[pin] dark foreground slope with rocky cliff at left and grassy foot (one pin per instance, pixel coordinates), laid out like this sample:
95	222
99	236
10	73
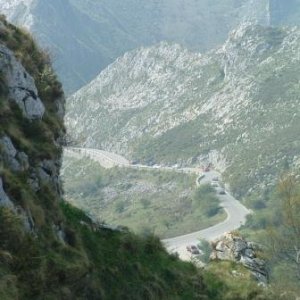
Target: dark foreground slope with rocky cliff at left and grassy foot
49	250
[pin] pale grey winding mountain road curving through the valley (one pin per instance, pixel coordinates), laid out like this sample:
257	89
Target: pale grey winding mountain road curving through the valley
236	212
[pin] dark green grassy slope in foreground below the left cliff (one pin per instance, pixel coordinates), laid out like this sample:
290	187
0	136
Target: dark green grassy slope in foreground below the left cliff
93	265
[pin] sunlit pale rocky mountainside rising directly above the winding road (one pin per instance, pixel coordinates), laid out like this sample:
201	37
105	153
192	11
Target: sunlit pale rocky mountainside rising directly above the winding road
237	106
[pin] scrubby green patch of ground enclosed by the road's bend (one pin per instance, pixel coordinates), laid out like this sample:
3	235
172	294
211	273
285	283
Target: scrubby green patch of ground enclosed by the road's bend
162	202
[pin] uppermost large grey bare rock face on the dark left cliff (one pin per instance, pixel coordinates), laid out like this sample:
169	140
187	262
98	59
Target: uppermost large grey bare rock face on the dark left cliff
21	85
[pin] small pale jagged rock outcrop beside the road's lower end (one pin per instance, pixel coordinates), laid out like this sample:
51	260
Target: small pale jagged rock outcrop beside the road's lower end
235	248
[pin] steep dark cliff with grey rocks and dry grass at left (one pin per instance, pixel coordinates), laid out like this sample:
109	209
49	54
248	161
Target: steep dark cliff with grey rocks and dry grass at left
30	146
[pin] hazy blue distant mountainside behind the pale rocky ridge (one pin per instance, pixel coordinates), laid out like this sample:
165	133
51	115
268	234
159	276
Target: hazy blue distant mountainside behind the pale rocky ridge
86	36
